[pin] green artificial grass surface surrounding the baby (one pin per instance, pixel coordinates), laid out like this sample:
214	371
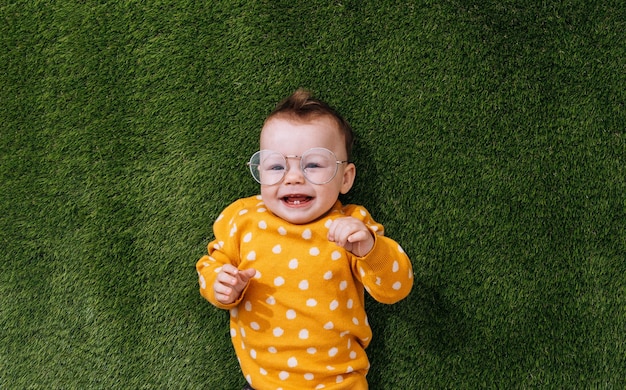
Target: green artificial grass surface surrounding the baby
490	143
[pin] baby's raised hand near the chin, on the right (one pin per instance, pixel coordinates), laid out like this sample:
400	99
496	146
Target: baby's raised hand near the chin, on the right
351	234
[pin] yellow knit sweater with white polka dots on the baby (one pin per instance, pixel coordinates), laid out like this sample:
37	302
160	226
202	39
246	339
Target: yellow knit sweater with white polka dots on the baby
301	322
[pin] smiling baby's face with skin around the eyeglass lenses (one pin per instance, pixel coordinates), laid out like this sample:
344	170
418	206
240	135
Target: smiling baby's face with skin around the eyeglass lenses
295	199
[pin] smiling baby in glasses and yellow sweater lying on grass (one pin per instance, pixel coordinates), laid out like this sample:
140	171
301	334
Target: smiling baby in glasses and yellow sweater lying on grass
292	264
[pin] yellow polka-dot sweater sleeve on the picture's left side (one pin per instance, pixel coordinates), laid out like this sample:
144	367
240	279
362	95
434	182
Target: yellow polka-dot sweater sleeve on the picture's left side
222	250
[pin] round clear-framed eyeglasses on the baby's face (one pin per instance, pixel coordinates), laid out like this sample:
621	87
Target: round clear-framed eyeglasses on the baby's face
319	166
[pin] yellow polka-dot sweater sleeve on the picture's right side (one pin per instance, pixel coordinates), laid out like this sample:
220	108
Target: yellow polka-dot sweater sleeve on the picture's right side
386	271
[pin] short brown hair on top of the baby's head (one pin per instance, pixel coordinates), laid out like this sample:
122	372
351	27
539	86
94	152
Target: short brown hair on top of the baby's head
303	106
